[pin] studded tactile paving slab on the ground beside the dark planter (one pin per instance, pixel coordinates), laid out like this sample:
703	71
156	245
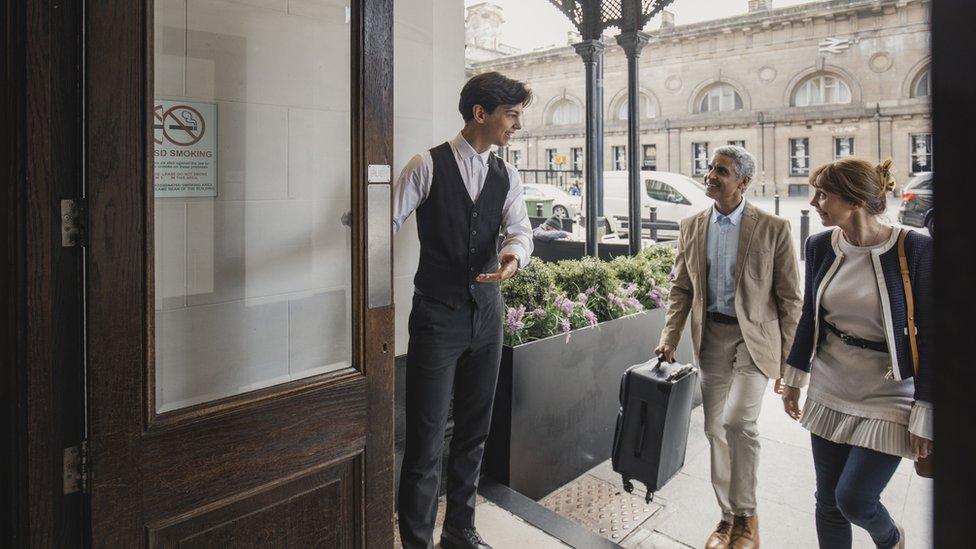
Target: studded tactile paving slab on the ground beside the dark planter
600	506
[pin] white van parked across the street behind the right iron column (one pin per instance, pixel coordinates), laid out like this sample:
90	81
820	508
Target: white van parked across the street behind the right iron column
674	195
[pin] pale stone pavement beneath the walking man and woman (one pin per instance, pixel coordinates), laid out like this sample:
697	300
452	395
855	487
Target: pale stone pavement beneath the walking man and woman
684	513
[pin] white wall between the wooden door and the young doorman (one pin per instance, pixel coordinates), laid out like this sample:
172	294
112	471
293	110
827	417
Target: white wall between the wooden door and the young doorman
428	72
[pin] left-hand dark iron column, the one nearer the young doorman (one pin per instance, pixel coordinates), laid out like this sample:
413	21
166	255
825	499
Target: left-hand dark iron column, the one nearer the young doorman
592	52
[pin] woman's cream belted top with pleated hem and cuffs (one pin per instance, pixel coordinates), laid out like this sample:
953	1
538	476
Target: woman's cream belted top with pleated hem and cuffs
851	400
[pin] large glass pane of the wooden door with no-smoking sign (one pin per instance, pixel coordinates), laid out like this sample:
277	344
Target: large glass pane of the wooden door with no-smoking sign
252	177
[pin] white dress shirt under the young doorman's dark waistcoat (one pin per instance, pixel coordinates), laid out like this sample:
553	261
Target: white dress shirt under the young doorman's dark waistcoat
413	187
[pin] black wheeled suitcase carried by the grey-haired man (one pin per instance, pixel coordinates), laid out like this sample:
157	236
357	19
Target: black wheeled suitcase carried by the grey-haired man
652	424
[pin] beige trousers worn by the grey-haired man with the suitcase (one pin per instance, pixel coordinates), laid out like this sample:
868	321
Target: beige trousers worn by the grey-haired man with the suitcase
732	394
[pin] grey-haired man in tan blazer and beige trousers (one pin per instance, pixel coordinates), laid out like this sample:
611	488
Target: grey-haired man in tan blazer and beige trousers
737	275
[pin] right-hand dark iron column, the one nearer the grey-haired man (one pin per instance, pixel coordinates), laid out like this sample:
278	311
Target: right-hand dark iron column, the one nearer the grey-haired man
633	42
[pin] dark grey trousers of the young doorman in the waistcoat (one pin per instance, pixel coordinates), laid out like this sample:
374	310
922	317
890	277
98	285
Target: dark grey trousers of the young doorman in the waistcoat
452	353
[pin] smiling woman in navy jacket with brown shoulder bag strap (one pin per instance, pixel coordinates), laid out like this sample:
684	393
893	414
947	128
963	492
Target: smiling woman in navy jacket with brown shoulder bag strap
864	345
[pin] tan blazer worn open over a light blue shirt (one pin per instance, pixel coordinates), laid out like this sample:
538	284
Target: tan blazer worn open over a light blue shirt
767	286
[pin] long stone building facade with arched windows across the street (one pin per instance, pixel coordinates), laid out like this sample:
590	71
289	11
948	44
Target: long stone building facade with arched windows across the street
798	86
